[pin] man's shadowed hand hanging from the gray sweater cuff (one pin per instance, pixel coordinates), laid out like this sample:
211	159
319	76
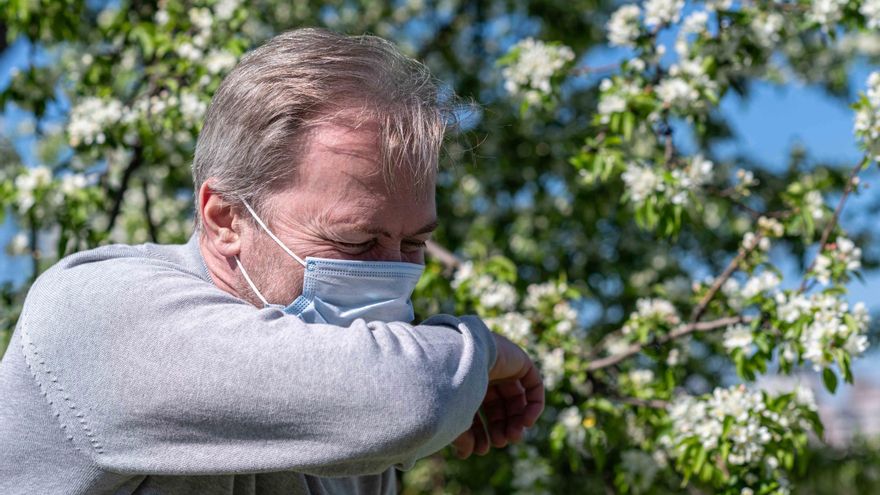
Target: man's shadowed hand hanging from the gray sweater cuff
513	402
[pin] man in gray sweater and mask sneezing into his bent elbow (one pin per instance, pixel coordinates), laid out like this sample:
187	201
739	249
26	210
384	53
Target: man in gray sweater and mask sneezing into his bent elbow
273	352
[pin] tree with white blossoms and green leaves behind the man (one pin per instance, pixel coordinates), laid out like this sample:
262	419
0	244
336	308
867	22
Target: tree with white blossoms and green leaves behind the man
587	237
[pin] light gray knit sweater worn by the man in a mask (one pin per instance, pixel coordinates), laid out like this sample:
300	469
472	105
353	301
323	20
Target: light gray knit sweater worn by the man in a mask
129	371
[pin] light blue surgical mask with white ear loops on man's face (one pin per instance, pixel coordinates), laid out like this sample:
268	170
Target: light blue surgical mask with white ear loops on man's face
340	291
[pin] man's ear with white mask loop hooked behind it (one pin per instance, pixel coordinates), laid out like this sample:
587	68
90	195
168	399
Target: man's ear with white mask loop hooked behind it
220	221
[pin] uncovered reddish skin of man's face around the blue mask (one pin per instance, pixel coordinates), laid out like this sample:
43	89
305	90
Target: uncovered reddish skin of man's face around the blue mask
339	206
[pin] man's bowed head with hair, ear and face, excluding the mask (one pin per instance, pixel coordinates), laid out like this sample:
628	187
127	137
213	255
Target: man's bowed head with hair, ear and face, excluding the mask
334	141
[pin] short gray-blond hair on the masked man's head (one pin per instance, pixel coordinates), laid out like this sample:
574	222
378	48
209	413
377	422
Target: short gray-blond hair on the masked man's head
264	109
